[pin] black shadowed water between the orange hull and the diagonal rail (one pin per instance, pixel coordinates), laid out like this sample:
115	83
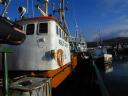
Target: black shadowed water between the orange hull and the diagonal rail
80	83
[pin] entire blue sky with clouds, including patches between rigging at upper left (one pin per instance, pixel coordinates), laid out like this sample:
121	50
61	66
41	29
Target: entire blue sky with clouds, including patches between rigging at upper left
109	17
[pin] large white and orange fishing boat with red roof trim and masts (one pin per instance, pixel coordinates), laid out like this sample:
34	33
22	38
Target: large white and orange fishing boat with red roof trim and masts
46	50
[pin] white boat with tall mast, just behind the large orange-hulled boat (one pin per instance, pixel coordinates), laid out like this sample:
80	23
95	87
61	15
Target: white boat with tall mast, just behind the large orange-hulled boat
78	43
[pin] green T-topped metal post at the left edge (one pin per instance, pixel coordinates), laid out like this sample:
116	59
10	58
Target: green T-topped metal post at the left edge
4	51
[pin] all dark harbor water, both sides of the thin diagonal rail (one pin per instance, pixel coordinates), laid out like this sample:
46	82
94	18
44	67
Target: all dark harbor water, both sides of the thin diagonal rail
83	82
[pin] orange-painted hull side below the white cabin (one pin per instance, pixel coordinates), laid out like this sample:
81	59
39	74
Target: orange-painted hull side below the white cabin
60	74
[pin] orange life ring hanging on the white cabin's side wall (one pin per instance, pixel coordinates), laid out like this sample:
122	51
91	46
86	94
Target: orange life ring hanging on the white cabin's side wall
60	59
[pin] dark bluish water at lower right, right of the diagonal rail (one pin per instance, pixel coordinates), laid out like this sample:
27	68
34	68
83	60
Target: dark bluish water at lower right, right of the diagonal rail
117	81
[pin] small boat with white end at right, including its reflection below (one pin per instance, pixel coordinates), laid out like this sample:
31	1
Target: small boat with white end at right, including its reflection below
103	60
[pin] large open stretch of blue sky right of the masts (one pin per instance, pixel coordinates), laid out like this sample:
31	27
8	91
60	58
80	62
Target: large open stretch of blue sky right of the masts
110	17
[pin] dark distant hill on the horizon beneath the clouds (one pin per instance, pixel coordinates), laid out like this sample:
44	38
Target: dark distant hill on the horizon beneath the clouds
112	41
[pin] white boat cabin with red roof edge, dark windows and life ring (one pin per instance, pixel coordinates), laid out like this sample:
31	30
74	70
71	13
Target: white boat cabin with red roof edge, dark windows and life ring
46	46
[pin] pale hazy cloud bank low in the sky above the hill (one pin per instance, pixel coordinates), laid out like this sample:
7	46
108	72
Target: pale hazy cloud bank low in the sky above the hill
119	28
